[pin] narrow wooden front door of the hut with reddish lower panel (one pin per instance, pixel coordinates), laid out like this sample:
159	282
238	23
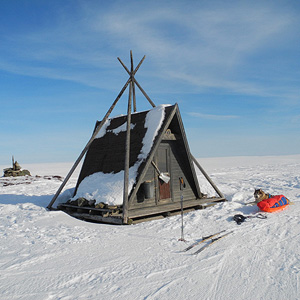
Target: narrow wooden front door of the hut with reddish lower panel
163	163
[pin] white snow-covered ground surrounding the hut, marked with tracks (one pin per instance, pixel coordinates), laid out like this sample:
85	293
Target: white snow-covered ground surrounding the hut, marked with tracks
50	255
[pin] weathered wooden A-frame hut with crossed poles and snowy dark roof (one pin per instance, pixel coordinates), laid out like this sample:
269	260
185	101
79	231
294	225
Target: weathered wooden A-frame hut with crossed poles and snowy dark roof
133	164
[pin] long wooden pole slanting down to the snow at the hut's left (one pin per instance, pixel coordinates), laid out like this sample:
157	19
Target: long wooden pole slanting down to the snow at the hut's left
87	146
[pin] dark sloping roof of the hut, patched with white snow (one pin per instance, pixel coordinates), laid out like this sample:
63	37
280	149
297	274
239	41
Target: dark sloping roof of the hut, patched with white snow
102	175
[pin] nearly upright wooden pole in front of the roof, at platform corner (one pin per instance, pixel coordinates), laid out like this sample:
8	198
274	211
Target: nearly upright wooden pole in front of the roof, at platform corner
127	159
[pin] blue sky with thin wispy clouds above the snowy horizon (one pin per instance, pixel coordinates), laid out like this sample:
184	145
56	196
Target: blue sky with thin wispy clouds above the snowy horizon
233	67
